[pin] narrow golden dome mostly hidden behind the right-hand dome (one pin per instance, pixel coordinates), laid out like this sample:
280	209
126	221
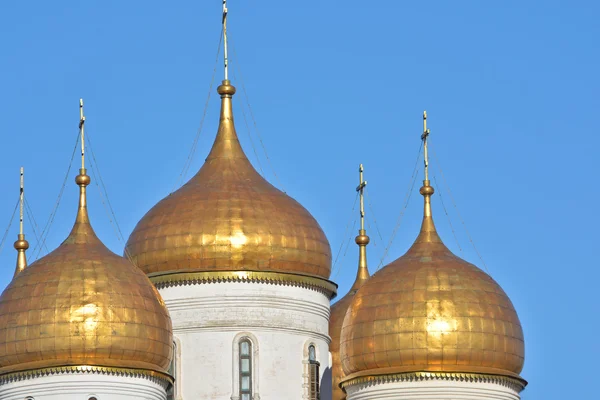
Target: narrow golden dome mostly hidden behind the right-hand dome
338	311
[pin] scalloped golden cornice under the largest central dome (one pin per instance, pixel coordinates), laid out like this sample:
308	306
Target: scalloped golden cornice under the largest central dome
169	279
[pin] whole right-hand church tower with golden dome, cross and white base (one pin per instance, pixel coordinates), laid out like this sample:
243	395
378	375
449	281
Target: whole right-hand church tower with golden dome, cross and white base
430	325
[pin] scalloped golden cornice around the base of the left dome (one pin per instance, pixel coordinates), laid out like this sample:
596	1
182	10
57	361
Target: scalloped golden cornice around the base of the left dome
157	377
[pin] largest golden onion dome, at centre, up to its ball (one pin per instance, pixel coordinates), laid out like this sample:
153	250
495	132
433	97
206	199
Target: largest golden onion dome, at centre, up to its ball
229	218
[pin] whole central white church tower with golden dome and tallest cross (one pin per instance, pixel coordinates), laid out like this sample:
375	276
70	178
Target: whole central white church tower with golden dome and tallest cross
244	271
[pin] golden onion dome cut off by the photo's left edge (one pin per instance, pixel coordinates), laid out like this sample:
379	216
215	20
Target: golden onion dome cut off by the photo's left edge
83	305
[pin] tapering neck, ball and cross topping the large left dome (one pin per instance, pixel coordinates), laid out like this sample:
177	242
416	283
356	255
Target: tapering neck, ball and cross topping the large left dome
82	230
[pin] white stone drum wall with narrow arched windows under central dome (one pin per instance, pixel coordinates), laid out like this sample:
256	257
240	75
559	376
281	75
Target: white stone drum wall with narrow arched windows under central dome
281	321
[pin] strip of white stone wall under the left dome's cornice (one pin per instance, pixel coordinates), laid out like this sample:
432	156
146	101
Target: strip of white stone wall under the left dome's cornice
84	386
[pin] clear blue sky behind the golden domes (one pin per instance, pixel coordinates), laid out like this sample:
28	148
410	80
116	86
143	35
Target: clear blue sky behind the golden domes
511	89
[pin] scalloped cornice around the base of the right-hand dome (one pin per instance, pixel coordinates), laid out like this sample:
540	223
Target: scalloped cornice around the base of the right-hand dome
515	384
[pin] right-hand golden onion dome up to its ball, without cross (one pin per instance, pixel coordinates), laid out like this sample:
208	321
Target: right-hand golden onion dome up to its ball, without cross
431	311
